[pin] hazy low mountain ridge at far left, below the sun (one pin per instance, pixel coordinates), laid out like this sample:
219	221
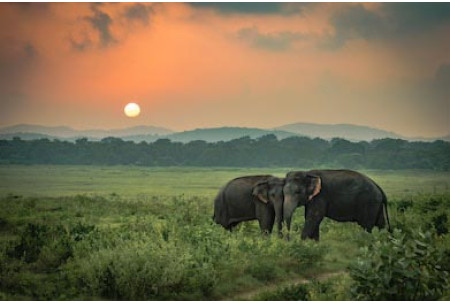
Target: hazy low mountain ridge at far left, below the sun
67	132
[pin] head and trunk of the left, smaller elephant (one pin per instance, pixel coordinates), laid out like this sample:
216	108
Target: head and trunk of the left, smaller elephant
270	191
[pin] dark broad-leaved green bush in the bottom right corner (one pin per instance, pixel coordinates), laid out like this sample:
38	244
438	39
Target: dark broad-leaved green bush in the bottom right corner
404	265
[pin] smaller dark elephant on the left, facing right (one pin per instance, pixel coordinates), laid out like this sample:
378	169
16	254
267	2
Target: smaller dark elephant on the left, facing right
248	198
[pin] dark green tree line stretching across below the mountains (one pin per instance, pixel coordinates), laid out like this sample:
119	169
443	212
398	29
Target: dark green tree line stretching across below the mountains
265	151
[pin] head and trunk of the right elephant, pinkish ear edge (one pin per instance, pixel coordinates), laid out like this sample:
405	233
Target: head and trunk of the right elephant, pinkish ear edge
300	188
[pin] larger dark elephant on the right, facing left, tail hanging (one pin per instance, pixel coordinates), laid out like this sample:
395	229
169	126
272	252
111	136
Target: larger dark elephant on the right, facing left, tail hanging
341	195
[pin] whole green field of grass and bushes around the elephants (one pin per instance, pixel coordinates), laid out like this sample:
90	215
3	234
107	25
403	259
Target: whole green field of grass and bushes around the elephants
137	233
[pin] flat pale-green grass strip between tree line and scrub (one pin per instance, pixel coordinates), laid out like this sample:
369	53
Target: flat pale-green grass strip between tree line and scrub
131	181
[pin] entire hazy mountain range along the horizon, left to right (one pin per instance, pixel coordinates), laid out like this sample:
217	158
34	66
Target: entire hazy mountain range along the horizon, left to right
153	133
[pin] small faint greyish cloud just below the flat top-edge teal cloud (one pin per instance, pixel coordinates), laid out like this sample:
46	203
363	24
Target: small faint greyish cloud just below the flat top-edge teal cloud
273	42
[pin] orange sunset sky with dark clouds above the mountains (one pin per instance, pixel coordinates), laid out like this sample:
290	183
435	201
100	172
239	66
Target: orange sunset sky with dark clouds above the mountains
196	65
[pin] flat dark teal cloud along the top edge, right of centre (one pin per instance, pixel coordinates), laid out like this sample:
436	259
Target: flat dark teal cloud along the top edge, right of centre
257	8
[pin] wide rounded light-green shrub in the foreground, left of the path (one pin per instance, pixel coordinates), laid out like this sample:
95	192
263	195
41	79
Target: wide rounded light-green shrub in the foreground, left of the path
148	270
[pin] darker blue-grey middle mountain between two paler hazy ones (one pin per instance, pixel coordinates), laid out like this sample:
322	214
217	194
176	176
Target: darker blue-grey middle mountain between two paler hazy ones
225	134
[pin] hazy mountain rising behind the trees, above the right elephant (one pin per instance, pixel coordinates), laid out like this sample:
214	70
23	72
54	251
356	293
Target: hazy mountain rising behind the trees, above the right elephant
346	131
